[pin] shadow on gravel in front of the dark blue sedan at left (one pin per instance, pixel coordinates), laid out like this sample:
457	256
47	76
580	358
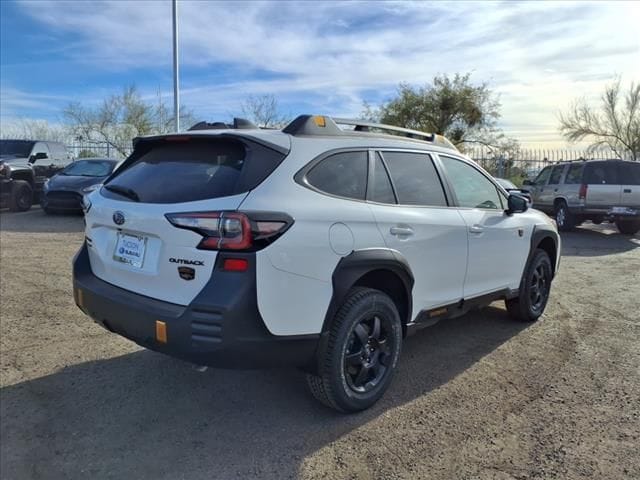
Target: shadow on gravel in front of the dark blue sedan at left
35	220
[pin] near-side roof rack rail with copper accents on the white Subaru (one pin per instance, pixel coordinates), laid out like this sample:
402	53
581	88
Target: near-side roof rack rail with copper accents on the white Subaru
323	125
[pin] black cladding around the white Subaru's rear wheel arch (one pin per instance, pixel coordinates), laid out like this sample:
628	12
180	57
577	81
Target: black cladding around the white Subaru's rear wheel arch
381	269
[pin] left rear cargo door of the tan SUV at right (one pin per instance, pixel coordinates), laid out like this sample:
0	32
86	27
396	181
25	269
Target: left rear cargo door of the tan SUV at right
603	186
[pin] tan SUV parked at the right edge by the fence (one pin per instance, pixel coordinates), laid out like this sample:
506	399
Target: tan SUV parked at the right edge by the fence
596	190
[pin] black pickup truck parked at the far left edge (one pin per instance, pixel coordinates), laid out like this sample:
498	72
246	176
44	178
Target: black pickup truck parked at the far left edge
25	165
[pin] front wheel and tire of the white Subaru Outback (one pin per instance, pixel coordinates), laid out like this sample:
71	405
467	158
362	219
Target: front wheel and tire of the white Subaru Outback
534	289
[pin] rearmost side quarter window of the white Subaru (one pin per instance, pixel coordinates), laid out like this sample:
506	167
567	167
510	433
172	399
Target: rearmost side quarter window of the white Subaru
343	174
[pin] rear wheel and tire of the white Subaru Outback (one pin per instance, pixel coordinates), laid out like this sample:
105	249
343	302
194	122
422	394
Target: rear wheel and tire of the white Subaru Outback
355	364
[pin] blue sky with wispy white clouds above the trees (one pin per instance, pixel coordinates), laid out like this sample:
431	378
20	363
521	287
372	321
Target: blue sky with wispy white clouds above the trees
315	57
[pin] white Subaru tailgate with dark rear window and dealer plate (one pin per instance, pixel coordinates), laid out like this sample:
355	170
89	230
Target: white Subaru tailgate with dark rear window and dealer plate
131	242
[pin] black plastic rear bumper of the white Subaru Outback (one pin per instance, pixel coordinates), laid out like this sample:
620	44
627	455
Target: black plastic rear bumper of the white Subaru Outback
222	327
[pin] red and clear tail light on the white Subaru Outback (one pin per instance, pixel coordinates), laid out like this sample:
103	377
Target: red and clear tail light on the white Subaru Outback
223	230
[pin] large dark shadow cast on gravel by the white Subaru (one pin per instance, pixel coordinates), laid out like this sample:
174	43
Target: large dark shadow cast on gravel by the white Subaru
145	415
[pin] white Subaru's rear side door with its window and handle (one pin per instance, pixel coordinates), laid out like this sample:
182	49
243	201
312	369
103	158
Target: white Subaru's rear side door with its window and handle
409	203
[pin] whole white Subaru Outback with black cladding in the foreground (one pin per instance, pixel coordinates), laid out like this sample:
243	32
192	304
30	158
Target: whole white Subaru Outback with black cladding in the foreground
314	246
